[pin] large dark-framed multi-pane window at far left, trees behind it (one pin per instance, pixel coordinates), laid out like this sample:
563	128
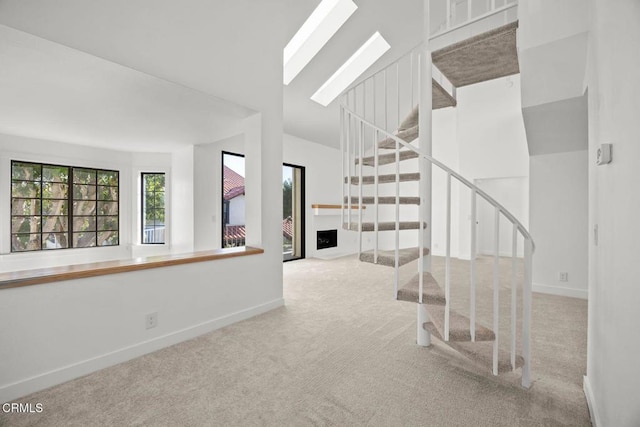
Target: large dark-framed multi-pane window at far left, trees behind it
57	207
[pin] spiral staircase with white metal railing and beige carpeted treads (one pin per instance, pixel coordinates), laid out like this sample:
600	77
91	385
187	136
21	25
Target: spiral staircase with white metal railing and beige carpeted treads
387	166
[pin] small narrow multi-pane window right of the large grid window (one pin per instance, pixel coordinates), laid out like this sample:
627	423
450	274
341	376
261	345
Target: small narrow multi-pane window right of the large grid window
153	208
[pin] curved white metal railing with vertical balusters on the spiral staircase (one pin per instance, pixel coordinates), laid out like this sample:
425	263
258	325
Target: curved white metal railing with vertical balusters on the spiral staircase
363	126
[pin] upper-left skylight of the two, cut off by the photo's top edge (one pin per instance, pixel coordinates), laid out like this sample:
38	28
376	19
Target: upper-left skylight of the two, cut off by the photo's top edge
316	31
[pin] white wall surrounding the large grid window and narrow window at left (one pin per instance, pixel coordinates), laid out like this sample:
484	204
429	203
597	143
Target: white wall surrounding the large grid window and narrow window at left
130	165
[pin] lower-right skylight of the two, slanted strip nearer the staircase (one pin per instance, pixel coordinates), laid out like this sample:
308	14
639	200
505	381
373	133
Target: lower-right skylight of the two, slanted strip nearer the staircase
359	62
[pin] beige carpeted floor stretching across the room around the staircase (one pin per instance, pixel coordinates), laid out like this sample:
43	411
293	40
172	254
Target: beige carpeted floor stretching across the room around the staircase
341	352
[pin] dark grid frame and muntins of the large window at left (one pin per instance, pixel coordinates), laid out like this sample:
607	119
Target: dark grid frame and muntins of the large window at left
70	206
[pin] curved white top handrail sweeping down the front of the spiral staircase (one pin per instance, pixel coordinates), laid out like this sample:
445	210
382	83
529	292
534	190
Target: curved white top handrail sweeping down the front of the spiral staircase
463	180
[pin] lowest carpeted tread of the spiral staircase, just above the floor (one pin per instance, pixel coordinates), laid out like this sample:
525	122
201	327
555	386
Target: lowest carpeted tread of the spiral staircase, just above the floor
481	353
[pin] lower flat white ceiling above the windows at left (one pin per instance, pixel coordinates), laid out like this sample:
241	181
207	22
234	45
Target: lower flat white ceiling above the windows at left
50	91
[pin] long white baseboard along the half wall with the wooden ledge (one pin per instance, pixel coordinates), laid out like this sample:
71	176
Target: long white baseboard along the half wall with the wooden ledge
66	373
